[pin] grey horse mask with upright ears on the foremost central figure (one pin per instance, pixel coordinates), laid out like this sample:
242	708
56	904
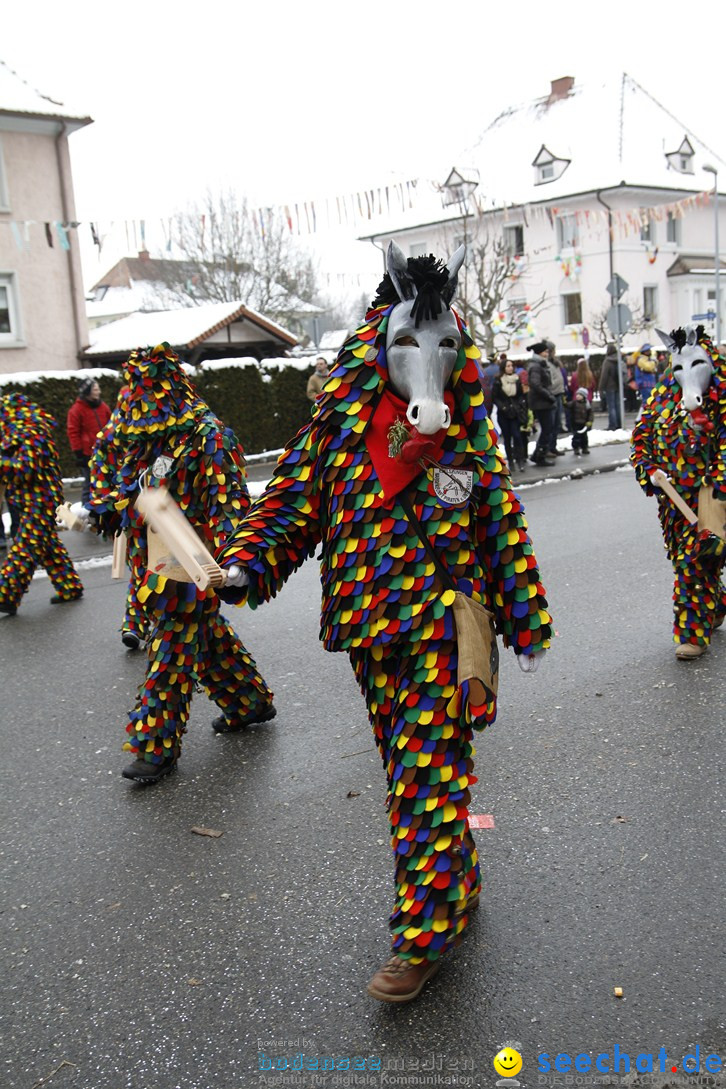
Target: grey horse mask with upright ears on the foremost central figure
422	348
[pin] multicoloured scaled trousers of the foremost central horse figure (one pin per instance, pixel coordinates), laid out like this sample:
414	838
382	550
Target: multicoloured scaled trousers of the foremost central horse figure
426	745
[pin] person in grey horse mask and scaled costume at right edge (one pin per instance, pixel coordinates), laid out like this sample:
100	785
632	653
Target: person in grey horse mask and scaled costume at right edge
682	432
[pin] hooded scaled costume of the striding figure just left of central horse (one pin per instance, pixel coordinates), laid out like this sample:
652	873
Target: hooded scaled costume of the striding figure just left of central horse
163	433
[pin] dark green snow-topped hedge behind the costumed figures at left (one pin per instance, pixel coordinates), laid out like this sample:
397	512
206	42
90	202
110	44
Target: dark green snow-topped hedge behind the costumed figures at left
264	403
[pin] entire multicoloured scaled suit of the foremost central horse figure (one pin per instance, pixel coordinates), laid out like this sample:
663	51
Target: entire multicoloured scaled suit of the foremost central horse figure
384	604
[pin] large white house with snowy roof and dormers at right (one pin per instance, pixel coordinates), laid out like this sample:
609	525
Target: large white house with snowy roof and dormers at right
585	182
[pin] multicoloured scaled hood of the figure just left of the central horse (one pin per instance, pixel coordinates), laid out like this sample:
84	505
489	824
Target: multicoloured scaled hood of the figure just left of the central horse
158	396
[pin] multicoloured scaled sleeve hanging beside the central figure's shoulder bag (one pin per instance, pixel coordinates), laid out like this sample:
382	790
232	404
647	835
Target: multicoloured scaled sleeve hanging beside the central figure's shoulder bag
516	594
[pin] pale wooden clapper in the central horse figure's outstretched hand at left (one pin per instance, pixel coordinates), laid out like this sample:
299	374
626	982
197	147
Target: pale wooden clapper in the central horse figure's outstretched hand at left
175	549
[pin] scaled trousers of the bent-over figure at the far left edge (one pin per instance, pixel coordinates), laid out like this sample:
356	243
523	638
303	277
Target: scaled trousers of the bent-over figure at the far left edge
38	544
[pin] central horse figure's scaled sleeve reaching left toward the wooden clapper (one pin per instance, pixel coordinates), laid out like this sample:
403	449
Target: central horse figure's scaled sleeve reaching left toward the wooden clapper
282	528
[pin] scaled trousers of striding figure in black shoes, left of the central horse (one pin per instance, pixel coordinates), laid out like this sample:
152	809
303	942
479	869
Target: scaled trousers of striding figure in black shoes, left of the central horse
190	643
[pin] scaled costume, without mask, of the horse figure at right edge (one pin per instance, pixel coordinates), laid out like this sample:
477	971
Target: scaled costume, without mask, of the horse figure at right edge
665	437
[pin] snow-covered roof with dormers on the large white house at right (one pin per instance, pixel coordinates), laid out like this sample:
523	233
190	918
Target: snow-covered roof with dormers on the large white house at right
576	140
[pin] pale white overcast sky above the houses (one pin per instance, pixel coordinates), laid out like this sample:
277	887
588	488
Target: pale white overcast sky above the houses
290	102
